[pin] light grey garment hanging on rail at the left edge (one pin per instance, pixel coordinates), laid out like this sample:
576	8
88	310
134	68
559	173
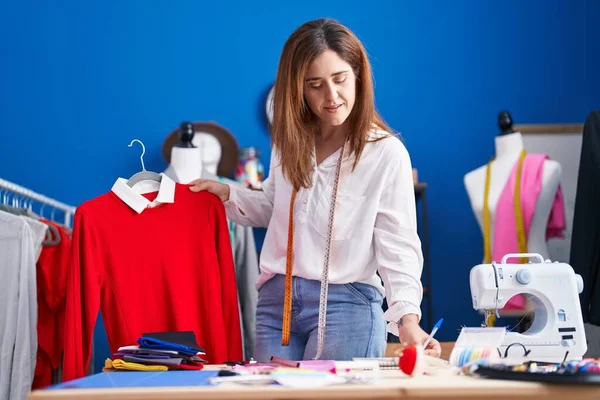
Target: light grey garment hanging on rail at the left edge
19	243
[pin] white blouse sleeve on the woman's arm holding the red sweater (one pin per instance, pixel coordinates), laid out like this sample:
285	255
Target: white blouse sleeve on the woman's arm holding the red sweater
249	207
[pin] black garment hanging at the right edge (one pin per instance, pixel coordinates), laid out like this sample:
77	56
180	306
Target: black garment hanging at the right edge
585	240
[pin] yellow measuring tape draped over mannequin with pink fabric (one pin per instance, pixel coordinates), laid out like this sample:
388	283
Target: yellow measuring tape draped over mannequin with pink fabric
521	237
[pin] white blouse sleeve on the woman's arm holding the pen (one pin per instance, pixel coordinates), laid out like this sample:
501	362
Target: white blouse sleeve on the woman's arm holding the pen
397	244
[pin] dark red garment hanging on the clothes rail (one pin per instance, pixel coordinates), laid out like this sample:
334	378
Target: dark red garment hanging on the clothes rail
51	291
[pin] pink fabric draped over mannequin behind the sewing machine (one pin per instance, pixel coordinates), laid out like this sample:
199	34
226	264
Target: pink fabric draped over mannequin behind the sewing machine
505	227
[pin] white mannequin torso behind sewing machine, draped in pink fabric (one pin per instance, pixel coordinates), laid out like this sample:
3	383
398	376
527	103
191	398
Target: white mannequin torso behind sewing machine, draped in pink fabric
508	150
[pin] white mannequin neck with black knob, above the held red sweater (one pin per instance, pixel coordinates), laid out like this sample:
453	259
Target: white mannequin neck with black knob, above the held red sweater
186	158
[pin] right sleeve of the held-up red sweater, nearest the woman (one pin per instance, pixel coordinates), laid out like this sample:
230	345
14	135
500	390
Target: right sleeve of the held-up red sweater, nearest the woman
231	316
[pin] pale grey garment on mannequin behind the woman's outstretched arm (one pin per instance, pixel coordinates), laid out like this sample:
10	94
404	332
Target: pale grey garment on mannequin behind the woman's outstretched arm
246	269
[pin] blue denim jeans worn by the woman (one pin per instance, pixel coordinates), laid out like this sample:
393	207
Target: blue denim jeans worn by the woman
355	326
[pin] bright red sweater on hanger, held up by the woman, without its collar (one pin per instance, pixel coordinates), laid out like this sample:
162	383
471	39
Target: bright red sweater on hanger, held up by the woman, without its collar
169	268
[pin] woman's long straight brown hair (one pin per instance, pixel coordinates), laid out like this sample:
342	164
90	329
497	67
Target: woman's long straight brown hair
294	125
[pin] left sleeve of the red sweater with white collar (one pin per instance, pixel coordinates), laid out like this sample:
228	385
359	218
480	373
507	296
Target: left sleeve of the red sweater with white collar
82	299
